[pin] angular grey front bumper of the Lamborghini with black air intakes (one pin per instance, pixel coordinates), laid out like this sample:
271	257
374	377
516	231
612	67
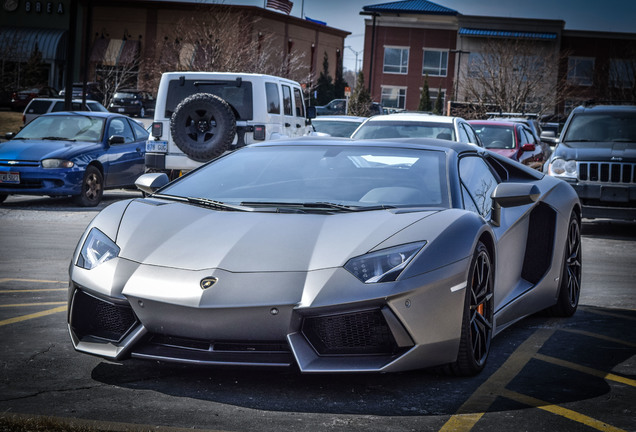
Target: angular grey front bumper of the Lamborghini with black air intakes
322	321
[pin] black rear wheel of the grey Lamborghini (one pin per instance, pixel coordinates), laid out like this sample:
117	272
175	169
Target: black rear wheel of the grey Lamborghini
570	284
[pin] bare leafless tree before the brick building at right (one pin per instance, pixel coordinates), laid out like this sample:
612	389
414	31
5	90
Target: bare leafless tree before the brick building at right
514	76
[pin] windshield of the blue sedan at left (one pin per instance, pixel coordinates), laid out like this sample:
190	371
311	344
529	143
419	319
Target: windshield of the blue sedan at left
70	127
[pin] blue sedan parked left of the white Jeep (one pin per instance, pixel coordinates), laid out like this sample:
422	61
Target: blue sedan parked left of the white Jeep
73	153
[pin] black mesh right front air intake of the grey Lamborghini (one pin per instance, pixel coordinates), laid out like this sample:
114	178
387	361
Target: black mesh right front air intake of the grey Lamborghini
364	332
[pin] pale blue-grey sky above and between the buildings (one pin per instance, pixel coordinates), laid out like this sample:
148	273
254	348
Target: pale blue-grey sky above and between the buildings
592	15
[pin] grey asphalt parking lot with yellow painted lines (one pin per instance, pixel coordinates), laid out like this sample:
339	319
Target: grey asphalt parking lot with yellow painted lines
544	374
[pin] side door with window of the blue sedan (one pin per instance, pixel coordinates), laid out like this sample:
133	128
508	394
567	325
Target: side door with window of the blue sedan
125	160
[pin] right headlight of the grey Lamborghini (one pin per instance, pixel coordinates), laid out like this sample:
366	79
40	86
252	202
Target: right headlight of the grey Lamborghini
385	265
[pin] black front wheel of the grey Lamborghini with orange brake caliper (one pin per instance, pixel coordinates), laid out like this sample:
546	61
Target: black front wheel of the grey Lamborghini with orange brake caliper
477	318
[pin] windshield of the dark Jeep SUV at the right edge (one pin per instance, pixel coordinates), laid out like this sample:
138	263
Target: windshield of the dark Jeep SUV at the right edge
602	127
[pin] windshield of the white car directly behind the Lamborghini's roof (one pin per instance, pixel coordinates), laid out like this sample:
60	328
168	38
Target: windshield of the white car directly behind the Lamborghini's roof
404	129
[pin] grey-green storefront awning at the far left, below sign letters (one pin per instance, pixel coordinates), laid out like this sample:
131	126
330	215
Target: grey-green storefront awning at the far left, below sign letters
18	44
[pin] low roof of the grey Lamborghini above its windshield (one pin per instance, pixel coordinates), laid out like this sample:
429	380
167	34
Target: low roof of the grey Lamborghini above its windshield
413	143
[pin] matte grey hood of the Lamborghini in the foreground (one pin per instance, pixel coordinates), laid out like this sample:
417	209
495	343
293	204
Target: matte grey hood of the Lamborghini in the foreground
190	237
